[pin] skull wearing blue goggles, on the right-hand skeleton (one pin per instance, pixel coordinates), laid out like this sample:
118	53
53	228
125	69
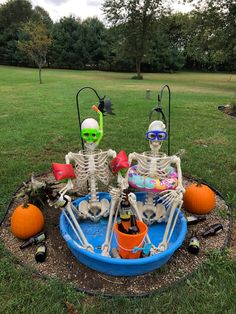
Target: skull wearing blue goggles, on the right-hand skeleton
156	134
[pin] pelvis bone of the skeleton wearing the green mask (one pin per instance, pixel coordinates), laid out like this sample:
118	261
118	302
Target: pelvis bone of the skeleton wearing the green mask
93	210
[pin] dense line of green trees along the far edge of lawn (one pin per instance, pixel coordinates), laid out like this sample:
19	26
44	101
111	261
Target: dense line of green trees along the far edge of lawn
139	33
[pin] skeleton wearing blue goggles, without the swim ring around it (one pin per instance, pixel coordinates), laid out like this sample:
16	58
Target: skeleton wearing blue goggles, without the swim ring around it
156	165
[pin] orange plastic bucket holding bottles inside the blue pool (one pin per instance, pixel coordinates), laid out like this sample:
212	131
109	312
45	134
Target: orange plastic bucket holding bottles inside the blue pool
127	242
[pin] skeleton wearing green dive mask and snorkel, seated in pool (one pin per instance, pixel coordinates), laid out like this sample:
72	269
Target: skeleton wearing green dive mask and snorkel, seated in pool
91	165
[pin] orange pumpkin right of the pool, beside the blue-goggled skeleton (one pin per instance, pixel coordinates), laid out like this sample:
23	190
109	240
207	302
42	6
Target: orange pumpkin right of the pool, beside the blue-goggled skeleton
199	199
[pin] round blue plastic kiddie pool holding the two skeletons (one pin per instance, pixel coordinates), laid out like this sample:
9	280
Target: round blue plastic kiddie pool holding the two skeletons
96	232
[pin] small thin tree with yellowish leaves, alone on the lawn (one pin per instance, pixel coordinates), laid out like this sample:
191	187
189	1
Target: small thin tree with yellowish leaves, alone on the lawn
35	43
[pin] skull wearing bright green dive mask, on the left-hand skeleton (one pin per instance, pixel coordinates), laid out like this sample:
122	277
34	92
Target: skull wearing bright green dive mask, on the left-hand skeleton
90	133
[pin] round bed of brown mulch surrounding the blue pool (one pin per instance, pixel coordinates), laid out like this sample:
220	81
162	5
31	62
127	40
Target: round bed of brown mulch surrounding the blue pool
60	263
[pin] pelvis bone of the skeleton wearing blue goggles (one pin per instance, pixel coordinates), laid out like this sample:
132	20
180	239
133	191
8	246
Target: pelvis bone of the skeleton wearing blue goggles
152	213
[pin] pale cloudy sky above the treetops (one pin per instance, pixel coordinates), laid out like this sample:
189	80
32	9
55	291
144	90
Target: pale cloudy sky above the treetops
81	8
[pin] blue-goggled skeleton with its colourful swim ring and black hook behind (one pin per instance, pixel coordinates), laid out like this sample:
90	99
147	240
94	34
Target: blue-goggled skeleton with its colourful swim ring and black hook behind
155	174
